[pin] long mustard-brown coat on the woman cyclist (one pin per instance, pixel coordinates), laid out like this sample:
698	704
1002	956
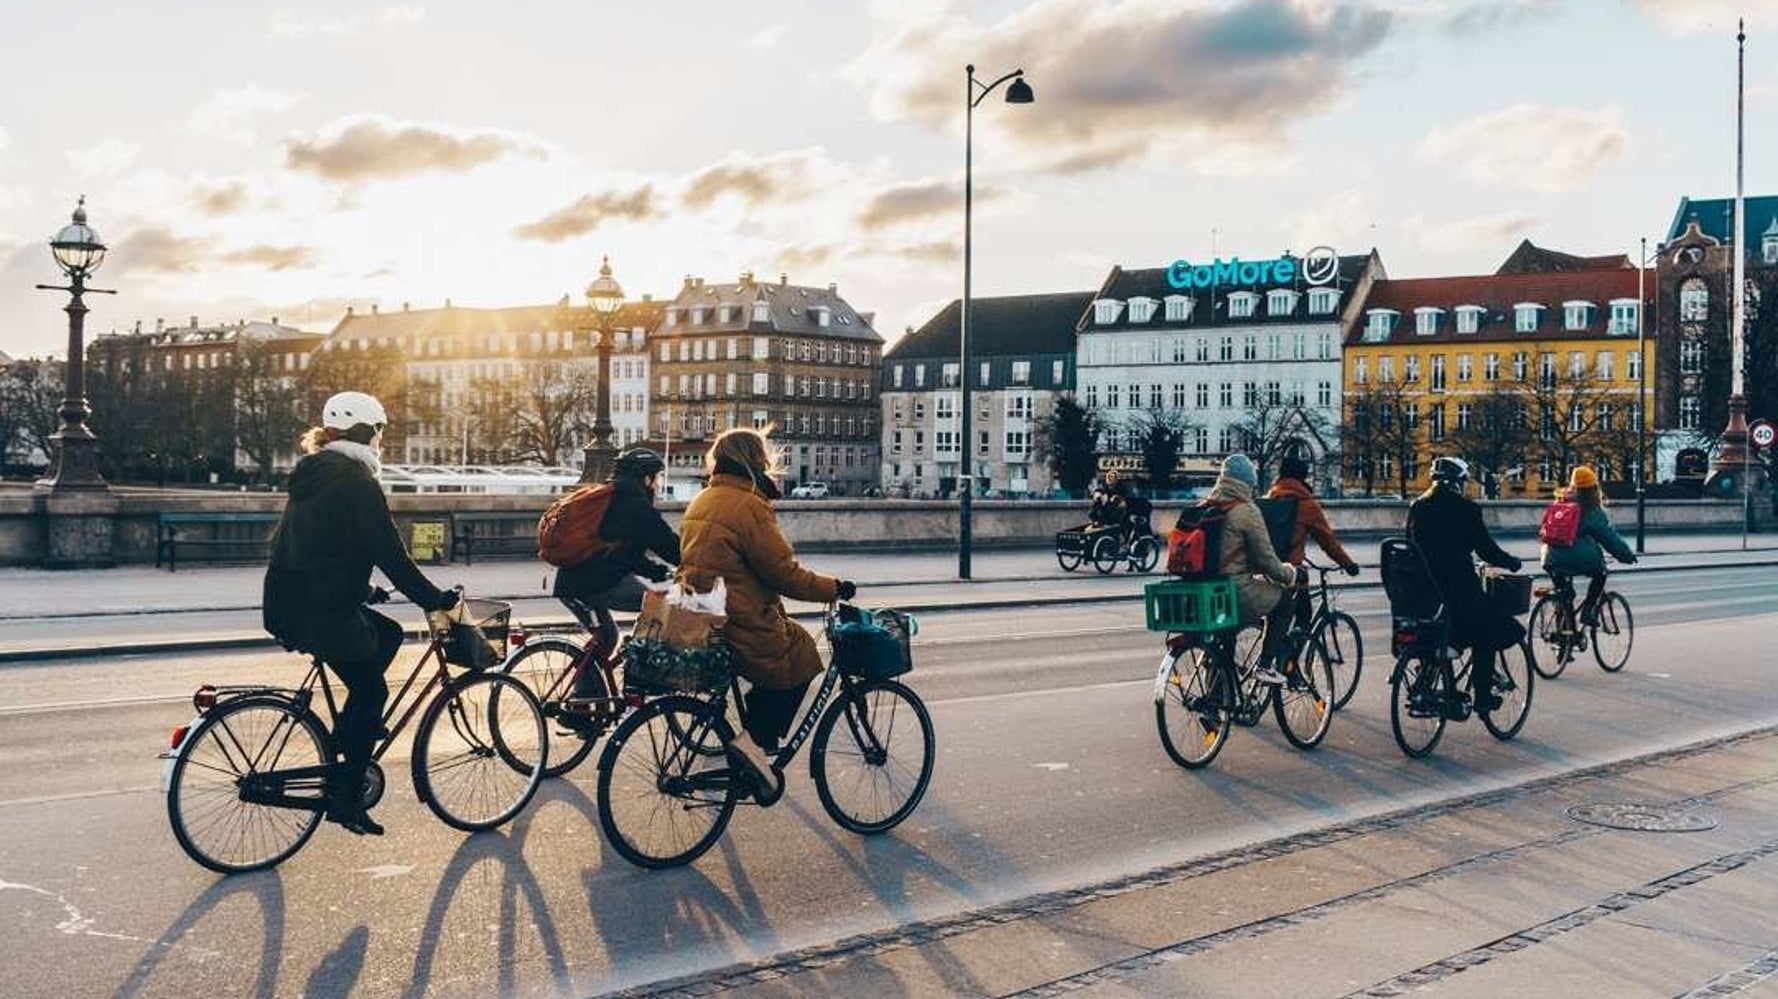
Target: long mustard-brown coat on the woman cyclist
730	532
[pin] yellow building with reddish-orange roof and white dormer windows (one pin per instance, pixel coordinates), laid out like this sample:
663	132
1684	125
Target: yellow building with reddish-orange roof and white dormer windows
1523	374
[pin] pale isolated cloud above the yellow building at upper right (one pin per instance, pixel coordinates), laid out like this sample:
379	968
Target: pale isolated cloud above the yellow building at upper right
1532	147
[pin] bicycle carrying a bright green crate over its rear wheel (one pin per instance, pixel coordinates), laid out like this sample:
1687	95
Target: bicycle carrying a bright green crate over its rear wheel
1206	683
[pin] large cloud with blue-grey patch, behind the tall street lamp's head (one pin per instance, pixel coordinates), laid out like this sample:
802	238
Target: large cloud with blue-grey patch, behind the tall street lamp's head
1123	81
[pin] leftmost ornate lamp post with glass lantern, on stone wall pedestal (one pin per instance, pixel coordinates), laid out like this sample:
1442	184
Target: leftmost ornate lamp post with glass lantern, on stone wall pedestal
79	253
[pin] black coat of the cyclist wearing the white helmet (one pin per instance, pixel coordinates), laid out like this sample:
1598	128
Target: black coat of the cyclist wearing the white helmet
337	527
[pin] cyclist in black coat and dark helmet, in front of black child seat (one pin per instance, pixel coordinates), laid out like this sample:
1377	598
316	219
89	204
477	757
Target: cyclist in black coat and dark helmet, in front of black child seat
1450	532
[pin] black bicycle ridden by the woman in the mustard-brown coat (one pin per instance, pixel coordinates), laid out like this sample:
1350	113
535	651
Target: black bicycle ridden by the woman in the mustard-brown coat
668	762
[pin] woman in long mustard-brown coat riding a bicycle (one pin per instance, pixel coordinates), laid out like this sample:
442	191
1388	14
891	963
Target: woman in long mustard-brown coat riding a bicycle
730	532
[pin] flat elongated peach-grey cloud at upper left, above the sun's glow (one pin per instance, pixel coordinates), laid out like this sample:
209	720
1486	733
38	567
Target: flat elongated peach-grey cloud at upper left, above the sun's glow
374	148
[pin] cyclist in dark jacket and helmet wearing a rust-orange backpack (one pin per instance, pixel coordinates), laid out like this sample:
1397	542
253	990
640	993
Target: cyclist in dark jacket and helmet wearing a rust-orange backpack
600	538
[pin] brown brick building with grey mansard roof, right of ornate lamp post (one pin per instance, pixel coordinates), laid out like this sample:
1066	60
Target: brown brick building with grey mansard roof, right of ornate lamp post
796	358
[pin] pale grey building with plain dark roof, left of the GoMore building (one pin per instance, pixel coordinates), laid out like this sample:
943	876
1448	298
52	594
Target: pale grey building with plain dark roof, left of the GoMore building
1023	358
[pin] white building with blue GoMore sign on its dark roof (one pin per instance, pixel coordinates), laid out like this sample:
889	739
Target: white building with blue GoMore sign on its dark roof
1242	356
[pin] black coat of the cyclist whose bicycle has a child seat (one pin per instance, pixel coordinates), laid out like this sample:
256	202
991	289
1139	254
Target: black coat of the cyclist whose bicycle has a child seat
1448	529
